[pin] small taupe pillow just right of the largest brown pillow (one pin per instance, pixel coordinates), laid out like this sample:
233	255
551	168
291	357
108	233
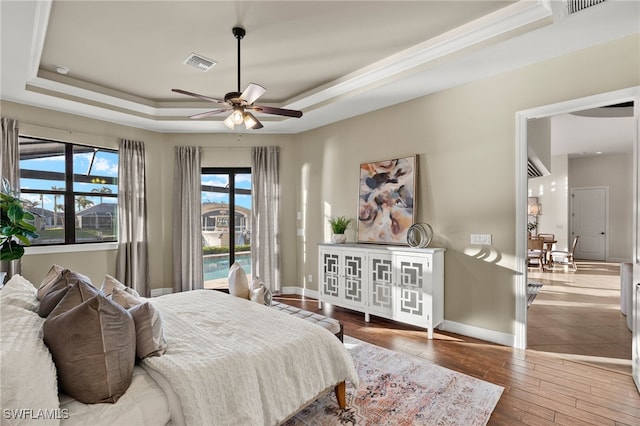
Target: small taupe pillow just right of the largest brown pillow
150	339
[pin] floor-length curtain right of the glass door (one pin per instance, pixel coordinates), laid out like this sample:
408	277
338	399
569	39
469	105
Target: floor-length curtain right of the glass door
265	212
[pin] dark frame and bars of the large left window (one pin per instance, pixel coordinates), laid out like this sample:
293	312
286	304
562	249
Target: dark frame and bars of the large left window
69	194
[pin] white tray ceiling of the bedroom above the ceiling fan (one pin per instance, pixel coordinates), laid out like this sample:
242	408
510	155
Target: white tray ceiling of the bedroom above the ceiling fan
330	59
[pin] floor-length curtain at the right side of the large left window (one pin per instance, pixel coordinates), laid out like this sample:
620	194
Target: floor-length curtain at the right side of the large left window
132	266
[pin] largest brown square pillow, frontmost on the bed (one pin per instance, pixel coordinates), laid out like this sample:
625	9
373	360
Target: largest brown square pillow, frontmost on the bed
93	346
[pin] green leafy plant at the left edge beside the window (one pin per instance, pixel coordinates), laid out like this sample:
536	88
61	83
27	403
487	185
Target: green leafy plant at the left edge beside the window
15	229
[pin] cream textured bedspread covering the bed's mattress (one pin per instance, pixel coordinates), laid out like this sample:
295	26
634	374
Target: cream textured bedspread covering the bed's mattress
231	361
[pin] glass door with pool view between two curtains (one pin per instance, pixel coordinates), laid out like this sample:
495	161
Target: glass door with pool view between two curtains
226	223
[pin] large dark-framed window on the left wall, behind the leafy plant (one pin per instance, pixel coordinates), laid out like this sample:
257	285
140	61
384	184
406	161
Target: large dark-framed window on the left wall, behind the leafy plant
71	189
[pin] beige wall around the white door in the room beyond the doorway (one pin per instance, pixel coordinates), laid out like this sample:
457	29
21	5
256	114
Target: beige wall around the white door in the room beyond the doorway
615	172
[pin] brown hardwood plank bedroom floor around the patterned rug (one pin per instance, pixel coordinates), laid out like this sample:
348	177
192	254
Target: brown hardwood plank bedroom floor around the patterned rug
541	388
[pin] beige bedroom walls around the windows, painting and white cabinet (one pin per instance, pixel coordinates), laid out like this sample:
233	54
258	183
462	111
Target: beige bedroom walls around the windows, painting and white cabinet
465	141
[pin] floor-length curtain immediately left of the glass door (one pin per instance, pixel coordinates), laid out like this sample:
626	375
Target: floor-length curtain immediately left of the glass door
187	228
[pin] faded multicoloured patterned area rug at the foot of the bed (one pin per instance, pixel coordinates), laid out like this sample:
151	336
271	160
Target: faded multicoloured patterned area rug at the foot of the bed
398	389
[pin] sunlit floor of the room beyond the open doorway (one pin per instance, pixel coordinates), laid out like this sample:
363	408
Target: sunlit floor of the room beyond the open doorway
578	313
